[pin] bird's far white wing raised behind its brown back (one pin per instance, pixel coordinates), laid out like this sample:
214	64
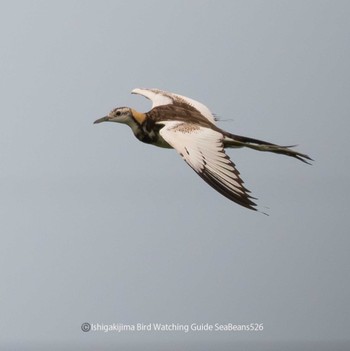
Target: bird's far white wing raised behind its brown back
159	97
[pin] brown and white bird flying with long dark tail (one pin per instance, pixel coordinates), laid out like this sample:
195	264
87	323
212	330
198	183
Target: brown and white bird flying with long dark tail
189	127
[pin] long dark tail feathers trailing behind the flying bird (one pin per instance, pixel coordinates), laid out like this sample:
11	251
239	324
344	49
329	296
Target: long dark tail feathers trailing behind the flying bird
232	140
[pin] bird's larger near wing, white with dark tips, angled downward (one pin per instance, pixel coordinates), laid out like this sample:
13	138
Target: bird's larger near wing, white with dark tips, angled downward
202	148
